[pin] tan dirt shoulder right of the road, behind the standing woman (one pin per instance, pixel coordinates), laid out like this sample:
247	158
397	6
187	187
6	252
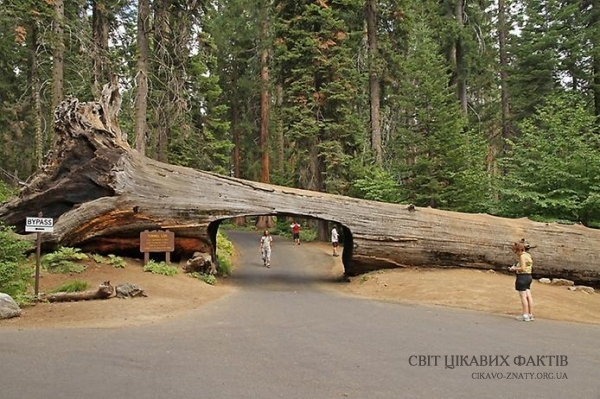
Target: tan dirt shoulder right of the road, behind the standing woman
484	291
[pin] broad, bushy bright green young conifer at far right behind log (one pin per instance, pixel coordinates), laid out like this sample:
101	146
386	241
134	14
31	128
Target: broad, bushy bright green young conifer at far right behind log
553	169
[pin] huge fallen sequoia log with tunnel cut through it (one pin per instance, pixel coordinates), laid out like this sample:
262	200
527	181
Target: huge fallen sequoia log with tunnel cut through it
102	194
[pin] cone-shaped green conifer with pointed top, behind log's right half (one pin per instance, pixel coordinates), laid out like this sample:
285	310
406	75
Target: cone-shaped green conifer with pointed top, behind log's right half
436	161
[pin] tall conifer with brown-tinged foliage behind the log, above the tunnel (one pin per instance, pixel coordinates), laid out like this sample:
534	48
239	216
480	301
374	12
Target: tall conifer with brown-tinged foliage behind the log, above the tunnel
316	59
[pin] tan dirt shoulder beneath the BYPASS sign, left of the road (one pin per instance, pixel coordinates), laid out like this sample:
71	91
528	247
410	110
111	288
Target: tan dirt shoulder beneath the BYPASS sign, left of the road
168	297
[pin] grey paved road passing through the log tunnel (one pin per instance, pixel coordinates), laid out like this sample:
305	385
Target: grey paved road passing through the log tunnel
281	336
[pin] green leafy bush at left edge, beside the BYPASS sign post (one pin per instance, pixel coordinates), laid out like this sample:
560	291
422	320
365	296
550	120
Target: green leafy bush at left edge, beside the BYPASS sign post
14	271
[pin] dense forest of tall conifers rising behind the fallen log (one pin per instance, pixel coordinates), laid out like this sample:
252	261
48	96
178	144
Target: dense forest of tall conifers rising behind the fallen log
465	105
